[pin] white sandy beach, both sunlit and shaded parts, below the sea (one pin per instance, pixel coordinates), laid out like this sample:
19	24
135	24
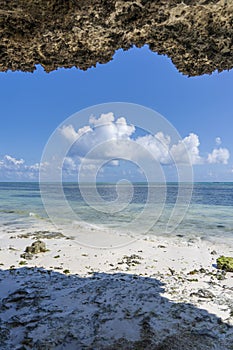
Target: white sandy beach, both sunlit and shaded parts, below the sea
156	293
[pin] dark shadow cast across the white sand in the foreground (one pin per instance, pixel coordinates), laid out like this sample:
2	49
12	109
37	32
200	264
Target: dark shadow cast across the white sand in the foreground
43	309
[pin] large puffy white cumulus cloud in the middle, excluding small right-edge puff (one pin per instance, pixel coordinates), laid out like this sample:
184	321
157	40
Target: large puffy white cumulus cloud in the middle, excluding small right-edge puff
107	128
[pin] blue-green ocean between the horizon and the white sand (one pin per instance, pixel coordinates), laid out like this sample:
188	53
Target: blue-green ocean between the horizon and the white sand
208	216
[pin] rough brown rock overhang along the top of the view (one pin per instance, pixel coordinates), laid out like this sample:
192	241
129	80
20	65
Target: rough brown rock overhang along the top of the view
196	35
